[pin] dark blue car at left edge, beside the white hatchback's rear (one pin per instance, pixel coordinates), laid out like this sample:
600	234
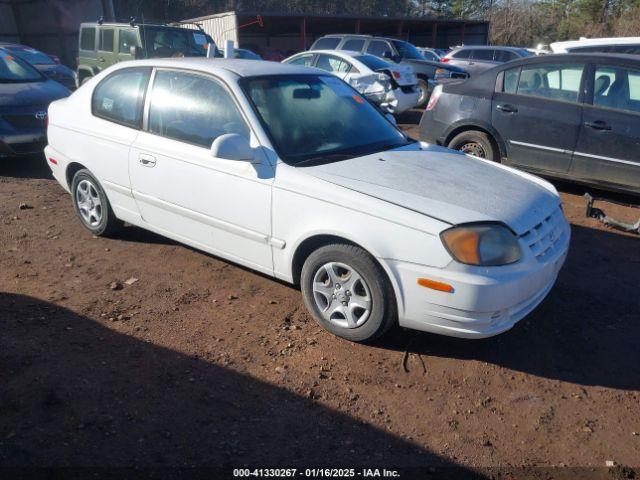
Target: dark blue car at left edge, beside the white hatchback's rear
25	95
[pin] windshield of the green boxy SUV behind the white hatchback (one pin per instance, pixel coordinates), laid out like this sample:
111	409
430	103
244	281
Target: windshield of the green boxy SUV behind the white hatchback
162	42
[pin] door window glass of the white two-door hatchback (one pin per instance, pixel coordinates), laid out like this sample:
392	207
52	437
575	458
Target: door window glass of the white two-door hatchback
192	109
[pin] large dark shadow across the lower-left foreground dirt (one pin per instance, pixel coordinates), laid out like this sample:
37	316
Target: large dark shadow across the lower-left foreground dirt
75	393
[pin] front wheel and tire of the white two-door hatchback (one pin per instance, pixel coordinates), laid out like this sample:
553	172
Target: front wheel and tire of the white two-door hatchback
357	302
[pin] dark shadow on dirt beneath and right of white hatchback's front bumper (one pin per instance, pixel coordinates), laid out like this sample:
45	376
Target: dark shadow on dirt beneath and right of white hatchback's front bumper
585	332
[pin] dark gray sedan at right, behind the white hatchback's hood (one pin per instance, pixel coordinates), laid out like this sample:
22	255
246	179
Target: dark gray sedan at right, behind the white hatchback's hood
574	116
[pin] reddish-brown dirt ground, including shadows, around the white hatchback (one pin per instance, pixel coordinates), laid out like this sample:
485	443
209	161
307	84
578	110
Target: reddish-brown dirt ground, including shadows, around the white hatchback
200	363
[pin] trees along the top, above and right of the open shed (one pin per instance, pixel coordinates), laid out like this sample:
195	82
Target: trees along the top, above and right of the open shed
513	22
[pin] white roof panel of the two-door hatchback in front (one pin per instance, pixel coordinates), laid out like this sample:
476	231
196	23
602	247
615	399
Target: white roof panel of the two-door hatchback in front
241	67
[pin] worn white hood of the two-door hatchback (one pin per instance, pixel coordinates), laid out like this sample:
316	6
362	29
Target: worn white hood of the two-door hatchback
446	185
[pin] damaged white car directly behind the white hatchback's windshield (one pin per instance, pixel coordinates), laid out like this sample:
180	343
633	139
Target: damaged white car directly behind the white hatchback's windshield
394	88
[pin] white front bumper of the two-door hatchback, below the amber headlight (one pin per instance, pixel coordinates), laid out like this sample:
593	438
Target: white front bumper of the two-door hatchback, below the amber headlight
486	301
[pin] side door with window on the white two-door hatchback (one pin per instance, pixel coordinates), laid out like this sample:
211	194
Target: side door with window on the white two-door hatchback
218	205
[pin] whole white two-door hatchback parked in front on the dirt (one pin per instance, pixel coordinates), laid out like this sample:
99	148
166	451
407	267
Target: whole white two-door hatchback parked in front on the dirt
289	171
